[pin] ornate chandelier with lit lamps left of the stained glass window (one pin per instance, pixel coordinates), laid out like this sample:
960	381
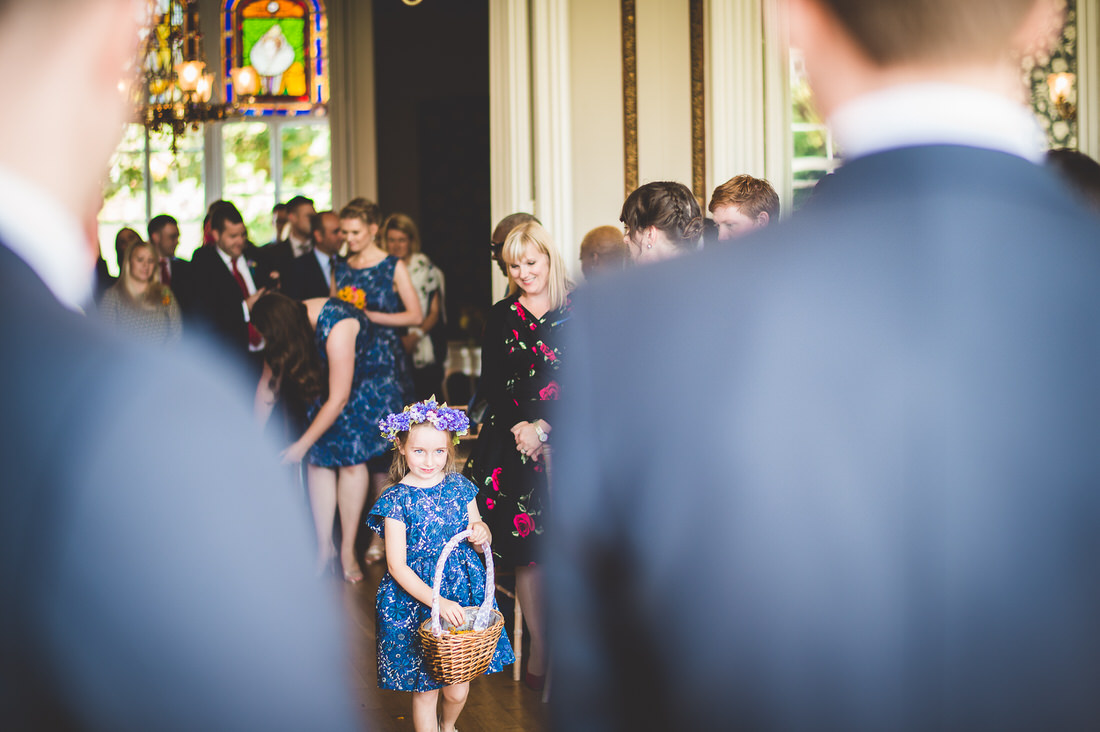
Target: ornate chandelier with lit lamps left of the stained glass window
174	89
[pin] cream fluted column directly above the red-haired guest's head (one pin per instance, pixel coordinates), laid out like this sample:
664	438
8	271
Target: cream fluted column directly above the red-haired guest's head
735	94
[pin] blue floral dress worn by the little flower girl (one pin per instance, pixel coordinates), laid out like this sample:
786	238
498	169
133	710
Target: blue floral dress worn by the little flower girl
432	517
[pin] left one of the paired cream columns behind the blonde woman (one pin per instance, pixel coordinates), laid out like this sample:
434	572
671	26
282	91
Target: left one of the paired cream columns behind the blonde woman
511	161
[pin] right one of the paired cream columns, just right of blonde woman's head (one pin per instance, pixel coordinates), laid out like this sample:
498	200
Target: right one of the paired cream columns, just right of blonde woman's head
554	150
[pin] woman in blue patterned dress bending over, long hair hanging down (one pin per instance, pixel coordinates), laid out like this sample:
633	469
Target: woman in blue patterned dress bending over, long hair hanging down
304	342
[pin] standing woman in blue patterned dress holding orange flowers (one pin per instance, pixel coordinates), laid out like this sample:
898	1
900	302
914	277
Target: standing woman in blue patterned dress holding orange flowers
382	287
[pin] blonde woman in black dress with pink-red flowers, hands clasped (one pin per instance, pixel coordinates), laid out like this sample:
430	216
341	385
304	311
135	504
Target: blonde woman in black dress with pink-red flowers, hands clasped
521	359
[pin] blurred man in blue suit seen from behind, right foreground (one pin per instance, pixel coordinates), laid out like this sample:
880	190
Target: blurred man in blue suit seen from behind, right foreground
845	475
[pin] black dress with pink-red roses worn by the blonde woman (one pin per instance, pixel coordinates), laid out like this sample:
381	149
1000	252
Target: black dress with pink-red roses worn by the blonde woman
521	360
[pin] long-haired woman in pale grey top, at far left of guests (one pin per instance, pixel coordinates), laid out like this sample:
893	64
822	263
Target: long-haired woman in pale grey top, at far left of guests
139	304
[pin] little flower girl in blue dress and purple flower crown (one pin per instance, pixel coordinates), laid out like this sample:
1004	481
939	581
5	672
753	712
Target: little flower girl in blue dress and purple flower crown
427	504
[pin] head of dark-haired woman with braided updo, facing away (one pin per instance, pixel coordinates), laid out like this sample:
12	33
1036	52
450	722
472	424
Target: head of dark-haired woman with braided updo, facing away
662	221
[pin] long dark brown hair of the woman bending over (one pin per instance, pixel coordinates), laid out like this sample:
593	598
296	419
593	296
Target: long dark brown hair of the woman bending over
289	346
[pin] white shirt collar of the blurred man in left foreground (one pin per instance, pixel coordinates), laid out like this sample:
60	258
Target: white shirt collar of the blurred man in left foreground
49	238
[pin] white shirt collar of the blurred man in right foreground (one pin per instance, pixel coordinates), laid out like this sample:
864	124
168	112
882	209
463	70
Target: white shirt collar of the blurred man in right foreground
937	114
